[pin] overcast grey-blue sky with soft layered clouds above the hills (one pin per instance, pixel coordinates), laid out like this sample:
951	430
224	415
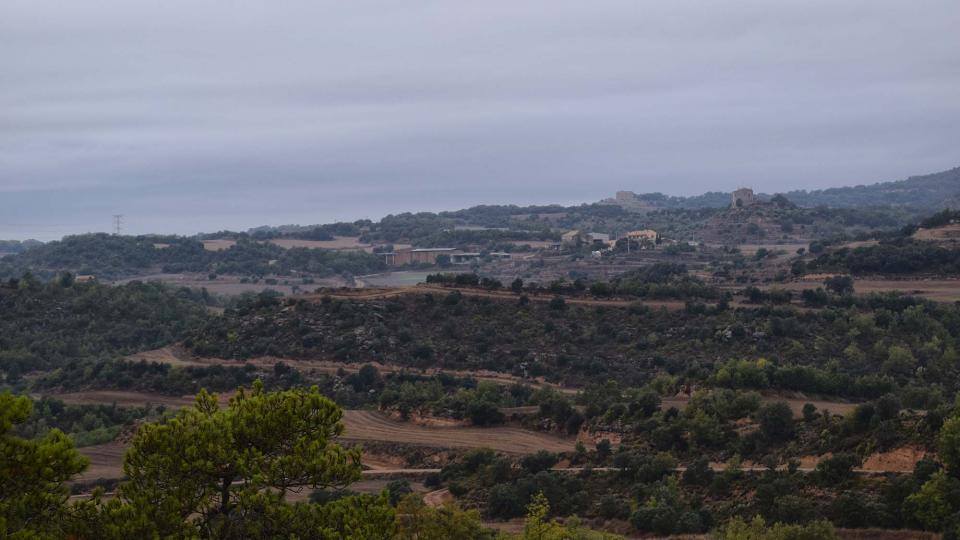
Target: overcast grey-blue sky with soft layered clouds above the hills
200	115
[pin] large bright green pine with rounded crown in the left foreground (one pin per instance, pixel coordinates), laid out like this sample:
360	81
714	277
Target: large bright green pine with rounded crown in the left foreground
220	471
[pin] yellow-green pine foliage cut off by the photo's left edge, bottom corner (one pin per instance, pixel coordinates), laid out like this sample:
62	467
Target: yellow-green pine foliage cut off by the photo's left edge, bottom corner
33	493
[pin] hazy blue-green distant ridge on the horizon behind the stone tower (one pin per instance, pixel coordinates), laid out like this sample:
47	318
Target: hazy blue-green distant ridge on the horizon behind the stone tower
930	192
